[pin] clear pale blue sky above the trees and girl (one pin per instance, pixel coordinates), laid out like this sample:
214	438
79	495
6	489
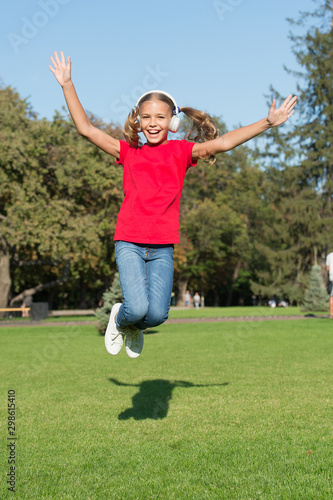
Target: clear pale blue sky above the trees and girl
220	56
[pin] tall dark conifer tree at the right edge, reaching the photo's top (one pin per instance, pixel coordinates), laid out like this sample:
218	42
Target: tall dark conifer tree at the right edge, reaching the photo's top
299	165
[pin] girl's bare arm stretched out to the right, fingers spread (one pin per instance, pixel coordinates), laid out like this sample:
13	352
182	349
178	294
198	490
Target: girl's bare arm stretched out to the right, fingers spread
236	137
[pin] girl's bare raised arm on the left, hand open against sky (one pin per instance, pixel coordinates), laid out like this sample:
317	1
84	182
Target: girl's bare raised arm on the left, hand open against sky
62	71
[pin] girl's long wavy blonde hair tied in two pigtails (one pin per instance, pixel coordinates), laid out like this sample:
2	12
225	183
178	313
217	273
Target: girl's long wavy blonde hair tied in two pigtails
202	128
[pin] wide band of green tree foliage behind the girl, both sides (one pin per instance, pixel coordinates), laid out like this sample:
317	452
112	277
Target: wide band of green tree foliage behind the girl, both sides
254	222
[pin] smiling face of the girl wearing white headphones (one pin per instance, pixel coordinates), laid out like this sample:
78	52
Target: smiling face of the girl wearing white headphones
155	118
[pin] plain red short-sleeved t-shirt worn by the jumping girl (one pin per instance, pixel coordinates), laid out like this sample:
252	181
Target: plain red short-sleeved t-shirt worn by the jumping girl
152	183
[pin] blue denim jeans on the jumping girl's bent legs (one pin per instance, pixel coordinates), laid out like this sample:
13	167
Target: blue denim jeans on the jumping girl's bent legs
146	276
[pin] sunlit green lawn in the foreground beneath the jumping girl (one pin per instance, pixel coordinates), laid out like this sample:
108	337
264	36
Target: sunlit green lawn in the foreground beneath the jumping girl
238	410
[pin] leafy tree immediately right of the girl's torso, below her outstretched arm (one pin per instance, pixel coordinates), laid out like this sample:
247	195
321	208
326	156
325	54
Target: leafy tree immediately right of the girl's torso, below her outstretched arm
219	213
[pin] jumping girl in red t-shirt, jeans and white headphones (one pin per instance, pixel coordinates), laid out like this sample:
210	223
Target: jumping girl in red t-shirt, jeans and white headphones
153	175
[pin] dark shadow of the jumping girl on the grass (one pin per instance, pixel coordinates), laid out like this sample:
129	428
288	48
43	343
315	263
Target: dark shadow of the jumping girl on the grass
152	400
